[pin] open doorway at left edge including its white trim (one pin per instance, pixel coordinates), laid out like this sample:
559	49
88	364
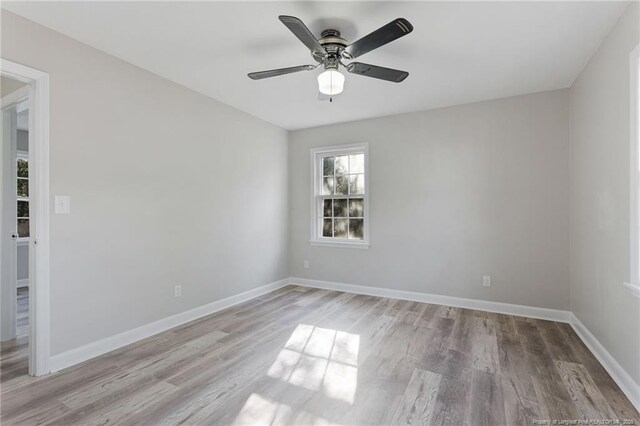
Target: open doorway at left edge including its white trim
24	221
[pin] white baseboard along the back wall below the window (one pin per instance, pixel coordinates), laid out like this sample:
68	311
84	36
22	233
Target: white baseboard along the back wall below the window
458	302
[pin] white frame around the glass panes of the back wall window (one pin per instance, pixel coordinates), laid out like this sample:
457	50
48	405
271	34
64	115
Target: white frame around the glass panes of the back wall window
316	196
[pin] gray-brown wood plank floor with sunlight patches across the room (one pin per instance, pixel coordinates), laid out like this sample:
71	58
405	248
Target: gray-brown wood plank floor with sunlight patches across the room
307	356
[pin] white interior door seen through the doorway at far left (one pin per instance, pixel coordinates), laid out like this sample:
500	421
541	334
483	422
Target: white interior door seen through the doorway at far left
8	254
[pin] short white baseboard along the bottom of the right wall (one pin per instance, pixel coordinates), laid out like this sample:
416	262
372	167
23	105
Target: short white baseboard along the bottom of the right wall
630	388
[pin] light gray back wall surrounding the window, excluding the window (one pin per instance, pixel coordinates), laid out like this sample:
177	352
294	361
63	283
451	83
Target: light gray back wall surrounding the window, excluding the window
456	193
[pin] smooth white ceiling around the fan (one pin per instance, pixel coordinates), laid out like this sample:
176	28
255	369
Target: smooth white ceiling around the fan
459	52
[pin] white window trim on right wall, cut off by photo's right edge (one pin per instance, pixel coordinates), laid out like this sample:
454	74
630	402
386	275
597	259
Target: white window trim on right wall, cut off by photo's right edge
634	107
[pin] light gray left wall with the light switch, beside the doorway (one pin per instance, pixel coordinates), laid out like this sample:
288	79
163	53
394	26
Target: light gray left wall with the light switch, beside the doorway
167	187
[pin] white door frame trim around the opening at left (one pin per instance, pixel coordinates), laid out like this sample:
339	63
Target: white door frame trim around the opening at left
39	254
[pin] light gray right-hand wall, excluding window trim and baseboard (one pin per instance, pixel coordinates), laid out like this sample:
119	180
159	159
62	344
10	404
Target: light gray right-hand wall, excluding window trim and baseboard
600	158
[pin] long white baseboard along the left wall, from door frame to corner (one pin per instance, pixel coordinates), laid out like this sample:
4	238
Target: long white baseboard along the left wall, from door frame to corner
100	347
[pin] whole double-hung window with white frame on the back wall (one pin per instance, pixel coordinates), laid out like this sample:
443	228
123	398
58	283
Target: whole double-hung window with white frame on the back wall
340	203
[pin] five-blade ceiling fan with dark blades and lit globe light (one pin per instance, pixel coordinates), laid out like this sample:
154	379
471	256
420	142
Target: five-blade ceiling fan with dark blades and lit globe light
331	50
